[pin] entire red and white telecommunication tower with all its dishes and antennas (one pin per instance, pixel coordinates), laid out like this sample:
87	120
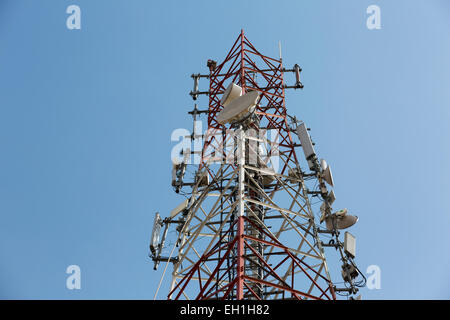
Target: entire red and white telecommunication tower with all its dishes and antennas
255	218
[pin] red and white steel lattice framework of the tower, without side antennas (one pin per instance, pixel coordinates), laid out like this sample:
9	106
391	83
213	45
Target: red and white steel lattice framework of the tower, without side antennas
249	231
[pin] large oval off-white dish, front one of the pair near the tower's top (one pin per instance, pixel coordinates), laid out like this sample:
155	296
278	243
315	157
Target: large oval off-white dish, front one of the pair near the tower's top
238	108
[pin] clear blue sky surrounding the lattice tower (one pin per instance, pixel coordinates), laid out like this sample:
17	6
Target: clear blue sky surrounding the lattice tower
86	117
